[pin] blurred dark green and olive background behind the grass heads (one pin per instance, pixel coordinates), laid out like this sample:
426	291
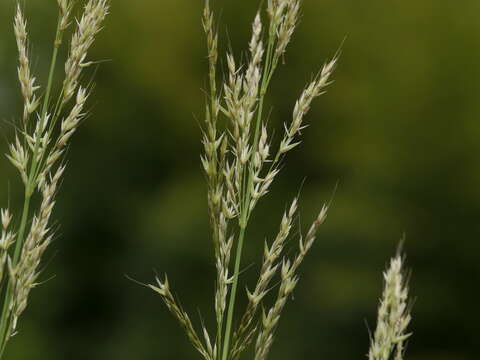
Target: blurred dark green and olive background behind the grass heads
399	131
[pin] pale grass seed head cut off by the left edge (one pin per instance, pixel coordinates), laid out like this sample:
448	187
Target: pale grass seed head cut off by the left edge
42	136
